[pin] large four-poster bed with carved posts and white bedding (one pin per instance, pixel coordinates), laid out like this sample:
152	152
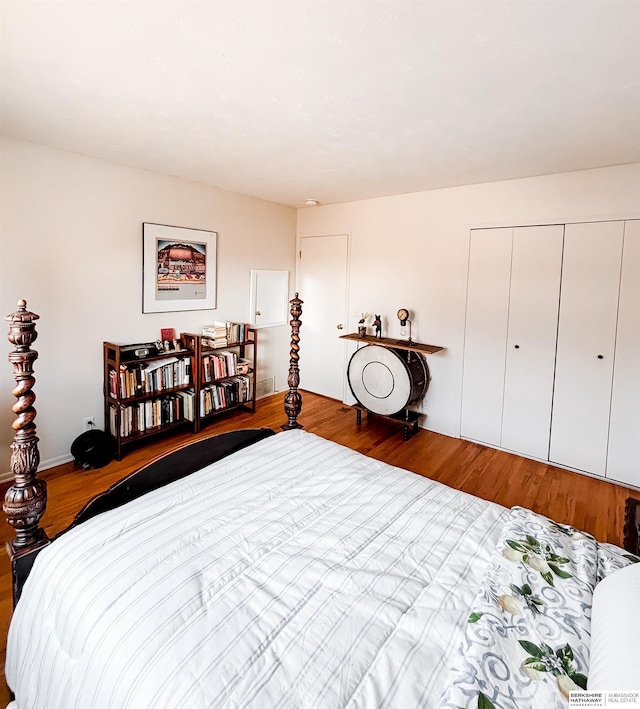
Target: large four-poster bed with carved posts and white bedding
284	570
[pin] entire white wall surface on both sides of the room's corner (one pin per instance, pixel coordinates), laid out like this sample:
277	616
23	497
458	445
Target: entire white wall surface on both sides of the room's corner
71	244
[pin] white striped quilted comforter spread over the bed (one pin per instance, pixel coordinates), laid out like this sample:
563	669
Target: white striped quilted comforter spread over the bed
295	573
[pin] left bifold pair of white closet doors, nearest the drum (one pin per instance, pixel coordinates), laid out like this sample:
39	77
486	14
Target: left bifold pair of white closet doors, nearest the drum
510	338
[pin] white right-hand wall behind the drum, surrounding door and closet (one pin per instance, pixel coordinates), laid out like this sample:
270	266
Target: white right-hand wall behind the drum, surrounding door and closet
412	251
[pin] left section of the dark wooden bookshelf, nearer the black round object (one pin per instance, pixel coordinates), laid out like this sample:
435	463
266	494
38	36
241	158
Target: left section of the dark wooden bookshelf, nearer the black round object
147	391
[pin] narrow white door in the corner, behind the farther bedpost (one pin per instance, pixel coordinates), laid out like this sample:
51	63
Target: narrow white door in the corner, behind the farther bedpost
322	286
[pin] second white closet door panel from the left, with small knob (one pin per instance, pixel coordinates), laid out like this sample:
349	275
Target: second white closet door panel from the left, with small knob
531	341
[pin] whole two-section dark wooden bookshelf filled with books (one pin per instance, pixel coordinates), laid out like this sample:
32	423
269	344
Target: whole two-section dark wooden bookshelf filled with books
148	392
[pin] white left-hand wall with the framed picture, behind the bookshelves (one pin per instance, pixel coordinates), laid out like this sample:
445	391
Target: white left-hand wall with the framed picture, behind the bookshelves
71	245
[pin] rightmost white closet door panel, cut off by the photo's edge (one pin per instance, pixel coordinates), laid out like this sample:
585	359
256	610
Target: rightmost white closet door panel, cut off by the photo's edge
623	462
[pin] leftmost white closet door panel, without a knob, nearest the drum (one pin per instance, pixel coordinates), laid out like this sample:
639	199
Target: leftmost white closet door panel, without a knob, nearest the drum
485	334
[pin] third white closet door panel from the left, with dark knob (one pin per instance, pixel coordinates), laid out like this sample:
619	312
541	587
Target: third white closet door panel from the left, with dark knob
586	337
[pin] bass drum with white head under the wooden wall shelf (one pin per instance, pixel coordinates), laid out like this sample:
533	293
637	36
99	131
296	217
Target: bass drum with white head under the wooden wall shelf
385	380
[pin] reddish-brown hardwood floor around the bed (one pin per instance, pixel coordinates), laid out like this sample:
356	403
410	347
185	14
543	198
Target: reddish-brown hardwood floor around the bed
586	503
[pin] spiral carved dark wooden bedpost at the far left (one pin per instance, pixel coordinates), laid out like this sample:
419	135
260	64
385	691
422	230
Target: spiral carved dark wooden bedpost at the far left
26	499
